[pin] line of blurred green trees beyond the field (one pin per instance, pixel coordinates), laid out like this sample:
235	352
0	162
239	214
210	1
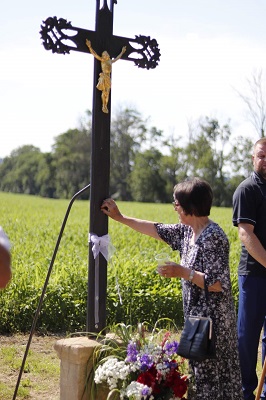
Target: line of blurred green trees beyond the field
145	164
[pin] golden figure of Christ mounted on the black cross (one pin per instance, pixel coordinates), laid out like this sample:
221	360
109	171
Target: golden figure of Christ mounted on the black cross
104	82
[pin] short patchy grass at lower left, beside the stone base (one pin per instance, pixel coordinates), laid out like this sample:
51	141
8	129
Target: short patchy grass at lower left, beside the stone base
40	378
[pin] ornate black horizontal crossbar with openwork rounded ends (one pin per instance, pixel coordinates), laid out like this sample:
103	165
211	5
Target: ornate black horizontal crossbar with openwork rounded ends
61	37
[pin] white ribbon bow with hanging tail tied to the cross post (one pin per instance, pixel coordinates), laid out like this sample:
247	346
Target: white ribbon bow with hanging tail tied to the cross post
104	246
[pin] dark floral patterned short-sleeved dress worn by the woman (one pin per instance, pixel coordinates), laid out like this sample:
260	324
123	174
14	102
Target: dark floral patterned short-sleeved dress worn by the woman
217	379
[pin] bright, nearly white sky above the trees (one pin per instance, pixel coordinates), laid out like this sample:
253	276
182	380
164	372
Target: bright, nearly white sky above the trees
209	48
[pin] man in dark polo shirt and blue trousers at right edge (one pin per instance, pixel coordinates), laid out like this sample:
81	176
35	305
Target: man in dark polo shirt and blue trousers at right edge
249	215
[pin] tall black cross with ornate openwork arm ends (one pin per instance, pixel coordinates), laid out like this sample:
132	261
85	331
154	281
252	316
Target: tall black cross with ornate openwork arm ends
61	37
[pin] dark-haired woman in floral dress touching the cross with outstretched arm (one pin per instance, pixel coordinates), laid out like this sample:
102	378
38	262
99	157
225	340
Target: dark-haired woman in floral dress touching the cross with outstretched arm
204	251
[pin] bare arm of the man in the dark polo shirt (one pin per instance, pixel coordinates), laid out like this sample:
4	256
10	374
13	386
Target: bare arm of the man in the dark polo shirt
251	242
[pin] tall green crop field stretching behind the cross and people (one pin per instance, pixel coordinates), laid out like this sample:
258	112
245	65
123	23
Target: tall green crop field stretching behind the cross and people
135	291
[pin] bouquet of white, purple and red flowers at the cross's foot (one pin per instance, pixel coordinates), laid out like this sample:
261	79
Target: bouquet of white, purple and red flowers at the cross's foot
149	369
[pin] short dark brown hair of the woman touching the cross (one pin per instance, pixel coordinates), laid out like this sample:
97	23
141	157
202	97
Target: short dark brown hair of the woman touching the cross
195	196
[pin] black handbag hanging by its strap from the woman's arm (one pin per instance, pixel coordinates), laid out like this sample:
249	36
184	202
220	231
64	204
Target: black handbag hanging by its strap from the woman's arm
197	341
